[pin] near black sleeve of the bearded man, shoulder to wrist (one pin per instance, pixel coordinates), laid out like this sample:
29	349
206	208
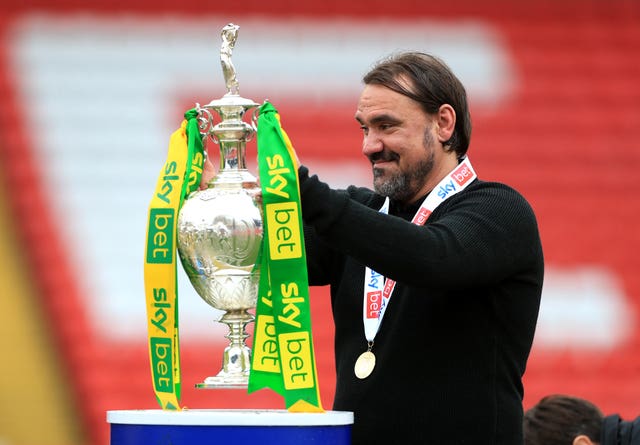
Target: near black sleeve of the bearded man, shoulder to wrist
478	237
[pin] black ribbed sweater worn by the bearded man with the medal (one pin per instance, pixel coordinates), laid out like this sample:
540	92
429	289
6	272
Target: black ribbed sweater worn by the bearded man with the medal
455	339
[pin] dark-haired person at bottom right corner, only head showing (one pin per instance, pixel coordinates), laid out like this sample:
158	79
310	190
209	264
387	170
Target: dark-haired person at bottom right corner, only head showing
566	420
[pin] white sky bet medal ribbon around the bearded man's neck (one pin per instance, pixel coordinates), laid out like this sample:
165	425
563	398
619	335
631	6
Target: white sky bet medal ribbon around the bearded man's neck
377	290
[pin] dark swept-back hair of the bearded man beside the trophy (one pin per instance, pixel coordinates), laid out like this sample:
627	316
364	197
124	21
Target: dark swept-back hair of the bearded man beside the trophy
430	82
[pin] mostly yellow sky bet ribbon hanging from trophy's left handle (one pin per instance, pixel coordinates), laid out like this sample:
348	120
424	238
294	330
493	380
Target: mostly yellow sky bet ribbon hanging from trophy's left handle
179	177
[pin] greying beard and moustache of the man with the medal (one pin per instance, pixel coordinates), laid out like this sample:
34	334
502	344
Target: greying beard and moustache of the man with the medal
403	185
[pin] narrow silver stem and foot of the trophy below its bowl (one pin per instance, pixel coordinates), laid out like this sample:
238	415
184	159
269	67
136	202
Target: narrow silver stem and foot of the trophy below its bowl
236	359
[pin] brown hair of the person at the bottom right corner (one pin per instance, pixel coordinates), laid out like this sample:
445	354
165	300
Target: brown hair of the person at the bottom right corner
558	419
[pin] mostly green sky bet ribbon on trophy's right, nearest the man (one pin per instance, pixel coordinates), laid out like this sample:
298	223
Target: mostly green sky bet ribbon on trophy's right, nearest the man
283	358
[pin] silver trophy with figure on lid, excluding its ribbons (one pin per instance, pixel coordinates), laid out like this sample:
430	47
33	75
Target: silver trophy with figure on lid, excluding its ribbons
220	227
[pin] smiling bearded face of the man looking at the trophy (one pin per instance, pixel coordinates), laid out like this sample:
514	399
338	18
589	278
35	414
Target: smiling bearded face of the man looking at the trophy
399	141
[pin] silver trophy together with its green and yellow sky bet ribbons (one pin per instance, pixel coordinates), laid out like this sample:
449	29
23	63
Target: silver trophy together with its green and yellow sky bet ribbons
241	245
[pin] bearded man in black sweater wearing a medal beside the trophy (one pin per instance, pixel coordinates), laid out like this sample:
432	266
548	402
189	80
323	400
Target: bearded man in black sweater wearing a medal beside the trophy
441	360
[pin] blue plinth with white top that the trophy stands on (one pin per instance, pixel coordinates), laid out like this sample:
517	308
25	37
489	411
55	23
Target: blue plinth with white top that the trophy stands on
208	426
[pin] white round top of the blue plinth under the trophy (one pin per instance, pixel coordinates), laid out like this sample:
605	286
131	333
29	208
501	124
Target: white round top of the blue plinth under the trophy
234	417
